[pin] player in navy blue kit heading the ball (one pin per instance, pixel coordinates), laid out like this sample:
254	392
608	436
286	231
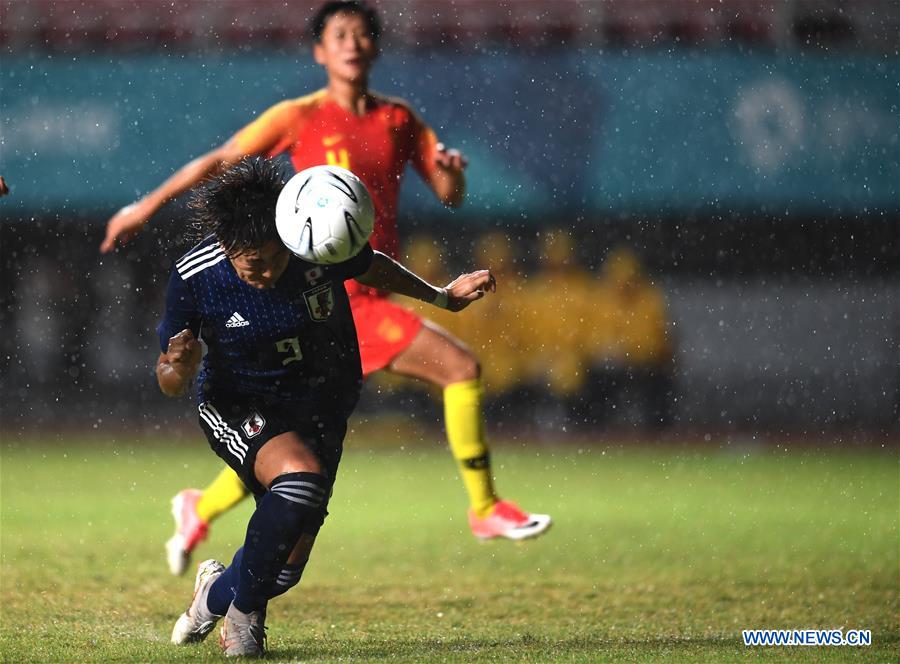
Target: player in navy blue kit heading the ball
279	380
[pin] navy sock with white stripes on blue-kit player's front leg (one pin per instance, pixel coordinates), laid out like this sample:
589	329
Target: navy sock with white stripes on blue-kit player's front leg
293	500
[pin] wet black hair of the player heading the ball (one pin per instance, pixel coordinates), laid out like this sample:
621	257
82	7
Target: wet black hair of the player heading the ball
238	206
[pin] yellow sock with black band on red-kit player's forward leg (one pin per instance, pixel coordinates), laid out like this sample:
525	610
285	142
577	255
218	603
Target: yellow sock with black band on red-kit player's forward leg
465	433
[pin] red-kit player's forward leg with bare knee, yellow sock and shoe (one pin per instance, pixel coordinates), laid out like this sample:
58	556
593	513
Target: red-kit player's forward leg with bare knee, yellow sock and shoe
437	357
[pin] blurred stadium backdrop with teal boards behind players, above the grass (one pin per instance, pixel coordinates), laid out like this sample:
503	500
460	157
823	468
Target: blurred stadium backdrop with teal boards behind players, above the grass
693	207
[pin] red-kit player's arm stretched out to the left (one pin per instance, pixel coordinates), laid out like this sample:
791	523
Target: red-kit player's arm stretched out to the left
261	137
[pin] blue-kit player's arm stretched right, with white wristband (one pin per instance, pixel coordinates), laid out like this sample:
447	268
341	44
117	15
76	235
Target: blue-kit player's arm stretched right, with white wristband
387	274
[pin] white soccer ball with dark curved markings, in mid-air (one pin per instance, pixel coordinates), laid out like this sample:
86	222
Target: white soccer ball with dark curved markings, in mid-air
324	215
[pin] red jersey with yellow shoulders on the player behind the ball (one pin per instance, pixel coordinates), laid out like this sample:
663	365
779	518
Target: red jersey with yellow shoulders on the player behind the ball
376	146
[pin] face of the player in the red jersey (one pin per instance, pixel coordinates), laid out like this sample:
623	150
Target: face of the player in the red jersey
346	48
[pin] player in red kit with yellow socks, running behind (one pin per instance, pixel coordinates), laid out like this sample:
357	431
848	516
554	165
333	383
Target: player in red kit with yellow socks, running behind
348	125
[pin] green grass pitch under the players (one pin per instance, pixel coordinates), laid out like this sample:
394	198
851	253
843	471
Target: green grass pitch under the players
656	554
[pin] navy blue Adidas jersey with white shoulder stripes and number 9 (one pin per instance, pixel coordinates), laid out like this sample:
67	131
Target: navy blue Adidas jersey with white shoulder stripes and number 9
293	344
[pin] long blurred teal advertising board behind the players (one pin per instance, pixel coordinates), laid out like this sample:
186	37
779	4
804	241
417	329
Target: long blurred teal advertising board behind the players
555	133
